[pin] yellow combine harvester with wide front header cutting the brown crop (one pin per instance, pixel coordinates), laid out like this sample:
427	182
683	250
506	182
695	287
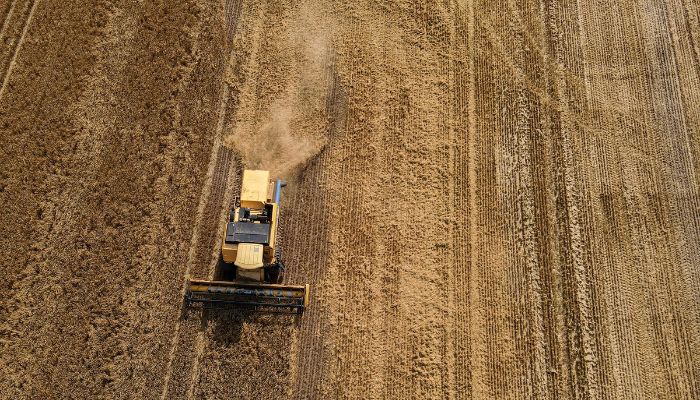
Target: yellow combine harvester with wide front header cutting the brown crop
252	264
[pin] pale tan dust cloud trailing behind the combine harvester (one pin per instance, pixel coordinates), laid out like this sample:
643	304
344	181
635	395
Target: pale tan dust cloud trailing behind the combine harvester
292	130
